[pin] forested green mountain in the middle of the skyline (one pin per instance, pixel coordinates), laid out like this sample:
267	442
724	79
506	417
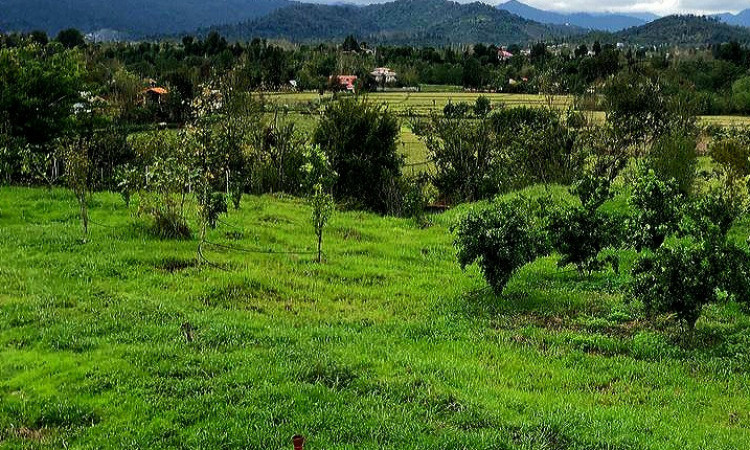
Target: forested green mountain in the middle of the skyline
414	22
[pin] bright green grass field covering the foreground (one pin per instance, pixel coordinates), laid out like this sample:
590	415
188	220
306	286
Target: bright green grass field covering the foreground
388	344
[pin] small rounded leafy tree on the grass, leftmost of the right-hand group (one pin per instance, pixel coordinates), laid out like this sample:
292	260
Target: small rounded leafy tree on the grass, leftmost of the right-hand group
500	238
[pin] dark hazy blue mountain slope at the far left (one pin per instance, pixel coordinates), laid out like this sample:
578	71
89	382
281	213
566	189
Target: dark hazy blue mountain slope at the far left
134	17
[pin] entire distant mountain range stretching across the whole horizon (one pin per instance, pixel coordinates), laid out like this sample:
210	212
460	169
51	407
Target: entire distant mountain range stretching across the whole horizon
400	22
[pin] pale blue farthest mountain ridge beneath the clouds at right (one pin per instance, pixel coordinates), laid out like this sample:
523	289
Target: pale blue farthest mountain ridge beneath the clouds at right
603	21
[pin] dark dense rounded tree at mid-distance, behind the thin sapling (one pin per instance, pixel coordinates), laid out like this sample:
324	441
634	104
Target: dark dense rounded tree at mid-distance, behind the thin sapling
360	141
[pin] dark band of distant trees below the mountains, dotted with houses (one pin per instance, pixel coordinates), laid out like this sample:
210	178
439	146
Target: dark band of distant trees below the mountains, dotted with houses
715	77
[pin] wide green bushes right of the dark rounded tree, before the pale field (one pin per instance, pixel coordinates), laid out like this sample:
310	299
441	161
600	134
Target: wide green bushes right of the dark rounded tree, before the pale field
511	148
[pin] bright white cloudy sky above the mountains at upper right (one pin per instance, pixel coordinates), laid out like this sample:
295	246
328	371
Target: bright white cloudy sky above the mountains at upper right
661	7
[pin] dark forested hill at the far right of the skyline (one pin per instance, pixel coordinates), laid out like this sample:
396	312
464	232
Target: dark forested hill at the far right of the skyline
684	30
